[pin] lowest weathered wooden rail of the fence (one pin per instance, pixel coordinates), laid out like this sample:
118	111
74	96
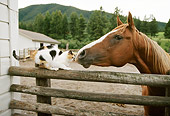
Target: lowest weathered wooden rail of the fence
51	109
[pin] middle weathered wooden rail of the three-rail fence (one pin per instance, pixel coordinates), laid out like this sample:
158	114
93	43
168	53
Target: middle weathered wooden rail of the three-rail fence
89	96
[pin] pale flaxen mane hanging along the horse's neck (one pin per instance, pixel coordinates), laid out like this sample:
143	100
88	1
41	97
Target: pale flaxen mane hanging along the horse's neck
161	59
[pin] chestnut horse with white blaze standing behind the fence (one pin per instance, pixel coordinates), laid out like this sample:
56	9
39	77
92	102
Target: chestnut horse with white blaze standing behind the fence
125	44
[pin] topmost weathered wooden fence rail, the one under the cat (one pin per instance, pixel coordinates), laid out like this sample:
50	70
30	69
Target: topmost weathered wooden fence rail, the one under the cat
95	76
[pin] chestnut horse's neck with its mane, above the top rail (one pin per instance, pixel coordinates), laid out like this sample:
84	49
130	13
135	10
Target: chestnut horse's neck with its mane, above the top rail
149	57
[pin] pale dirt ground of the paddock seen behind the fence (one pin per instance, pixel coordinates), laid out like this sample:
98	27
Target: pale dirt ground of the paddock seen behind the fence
90	87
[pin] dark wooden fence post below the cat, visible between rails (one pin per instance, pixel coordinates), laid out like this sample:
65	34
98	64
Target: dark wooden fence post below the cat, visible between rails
43	99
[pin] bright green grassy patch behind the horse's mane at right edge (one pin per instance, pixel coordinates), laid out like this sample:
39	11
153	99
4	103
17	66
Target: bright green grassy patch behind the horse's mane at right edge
162	41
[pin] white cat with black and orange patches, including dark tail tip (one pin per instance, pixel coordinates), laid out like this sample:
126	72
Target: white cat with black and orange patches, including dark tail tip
52	58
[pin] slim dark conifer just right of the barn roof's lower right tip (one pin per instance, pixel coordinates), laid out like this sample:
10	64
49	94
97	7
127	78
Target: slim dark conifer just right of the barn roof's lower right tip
65	26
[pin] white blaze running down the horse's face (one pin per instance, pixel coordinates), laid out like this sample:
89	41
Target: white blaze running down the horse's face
95	42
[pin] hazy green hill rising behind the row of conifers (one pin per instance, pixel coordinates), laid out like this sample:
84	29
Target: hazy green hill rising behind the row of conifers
30	12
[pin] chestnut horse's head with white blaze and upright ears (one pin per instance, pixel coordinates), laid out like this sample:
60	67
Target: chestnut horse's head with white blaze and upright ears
113	49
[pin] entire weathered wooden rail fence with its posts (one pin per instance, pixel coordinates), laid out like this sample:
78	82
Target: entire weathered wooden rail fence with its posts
44	92
